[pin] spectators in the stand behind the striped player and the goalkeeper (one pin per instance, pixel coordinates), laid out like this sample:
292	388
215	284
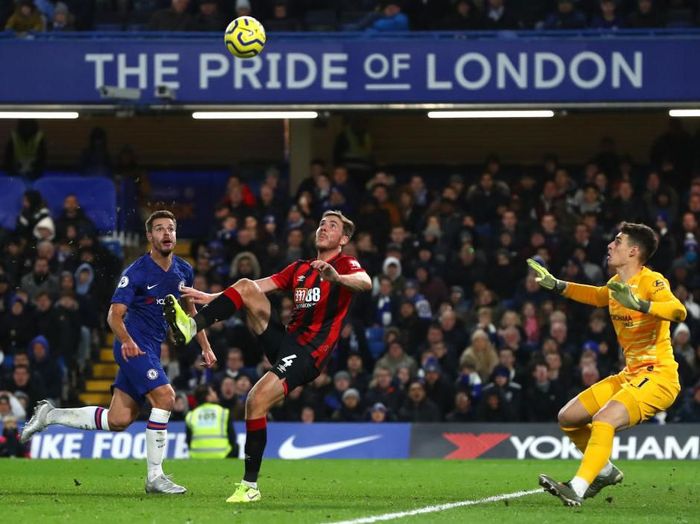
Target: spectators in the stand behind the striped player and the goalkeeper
456	328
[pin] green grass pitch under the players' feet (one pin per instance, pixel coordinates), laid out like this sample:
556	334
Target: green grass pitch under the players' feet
106	491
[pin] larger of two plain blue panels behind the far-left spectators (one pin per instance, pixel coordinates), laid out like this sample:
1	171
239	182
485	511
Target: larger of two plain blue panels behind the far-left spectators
95	194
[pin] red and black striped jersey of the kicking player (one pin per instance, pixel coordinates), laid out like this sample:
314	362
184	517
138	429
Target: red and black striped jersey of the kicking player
319	306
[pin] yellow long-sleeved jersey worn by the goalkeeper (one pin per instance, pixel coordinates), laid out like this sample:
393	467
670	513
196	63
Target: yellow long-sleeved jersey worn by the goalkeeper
645	338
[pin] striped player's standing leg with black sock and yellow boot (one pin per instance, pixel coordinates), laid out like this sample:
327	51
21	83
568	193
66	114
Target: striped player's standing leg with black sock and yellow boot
267	392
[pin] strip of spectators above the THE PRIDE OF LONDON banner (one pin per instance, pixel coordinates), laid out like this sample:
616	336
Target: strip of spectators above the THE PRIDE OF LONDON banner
24	16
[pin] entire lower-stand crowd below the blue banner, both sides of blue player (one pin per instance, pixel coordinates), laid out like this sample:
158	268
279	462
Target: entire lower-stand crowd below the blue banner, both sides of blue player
455	329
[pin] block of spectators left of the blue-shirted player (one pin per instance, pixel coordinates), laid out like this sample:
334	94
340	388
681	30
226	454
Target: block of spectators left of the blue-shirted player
56	279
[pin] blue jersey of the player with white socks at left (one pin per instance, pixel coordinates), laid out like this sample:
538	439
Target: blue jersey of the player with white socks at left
142	289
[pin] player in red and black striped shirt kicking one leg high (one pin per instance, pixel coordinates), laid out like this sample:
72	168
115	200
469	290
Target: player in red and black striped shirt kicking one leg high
322	290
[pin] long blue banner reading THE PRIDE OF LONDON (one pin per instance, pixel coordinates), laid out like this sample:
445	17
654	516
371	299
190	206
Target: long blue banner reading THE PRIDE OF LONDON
358	70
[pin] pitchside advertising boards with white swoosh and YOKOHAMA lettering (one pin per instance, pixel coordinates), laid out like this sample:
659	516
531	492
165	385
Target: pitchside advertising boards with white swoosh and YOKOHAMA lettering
375	441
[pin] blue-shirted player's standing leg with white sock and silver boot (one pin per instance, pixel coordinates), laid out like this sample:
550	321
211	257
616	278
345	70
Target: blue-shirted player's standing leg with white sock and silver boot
162	399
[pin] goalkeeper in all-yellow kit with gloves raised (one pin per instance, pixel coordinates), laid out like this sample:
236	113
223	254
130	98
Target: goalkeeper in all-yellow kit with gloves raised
641	307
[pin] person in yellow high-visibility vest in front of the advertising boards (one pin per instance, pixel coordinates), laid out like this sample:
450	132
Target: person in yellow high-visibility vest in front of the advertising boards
210	432
